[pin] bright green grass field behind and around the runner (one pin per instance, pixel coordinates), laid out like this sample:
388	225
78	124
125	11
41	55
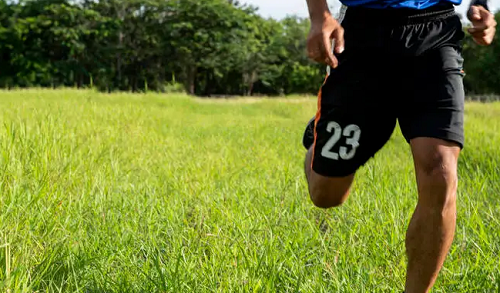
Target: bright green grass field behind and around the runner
155	193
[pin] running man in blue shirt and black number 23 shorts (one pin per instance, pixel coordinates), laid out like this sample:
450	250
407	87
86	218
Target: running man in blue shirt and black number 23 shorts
394	60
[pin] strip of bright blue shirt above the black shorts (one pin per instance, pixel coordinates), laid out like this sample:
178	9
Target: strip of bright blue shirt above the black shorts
414	4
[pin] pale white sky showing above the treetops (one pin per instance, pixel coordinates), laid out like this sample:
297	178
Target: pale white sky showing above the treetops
281	8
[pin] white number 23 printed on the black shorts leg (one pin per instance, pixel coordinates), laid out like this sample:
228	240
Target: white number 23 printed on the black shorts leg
351	132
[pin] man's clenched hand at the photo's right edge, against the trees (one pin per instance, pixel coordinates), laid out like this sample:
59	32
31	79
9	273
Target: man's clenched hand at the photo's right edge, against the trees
483	25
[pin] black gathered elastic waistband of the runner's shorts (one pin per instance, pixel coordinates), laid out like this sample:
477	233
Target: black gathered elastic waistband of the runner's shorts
402	16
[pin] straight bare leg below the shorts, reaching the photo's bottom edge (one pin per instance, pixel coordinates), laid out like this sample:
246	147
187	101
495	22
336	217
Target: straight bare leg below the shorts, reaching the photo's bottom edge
432	227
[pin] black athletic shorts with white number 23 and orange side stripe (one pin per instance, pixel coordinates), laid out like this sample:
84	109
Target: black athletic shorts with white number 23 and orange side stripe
398	65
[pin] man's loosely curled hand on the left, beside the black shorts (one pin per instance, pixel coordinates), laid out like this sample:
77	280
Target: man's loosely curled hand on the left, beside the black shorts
319	42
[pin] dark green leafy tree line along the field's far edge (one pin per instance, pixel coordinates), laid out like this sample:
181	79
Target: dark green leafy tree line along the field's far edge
203	47
